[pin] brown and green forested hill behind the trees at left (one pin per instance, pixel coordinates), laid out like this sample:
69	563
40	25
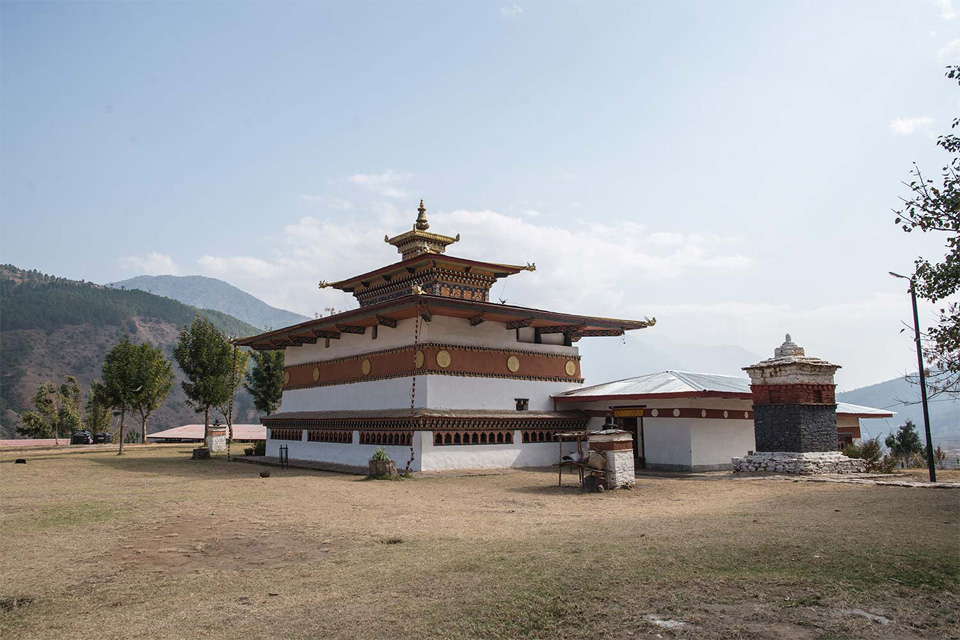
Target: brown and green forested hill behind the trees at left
52	327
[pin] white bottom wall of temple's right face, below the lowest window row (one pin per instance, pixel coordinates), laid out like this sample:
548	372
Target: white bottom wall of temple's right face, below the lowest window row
444	457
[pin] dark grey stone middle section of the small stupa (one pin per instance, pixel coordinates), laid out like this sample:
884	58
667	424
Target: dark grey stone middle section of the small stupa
797	428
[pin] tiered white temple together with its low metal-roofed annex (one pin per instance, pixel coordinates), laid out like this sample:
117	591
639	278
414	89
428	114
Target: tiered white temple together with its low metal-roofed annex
429	369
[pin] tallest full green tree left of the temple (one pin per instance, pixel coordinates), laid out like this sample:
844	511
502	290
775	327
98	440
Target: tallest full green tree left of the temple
206	357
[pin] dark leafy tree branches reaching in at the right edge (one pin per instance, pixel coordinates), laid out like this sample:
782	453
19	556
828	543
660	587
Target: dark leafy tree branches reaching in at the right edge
934	206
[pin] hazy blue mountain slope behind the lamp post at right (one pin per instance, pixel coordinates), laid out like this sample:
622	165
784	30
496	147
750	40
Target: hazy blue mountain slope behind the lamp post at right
891	395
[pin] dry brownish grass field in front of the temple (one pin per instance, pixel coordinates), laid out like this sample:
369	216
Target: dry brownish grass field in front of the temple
154	545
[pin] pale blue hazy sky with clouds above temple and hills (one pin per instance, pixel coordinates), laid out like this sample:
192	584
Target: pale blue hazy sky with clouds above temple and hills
726	167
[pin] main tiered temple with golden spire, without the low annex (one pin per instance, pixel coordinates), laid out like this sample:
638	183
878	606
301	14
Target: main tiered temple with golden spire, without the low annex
429	369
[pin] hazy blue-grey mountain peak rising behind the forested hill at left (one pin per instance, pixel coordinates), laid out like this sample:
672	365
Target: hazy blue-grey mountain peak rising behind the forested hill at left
210	293
